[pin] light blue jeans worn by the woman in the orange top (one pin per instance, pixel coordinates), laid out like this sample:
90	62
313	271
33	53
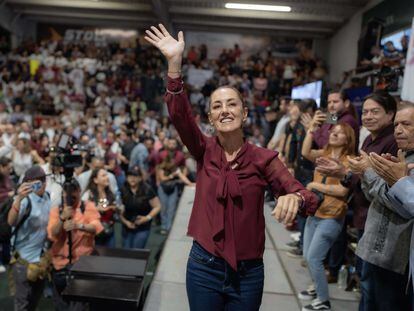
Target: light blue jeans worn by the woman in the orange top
320	234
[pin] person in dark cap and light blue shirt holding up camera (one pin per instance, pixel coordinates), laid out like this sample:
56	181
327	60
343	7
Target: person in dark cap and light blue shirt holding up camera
29	217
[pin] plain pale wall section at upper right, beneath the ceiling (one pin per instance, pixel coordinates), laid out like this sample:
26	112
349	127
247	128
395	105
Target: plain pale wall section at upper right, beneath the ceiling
343	45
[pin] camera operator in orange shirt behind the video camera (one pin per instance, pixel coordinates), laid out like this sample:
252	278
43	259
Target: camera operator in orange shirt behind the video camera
77	219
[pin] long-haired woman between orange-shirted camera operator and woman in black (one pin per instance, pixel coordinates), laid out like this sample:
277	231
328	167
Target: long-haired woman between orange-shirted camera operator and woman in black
99	192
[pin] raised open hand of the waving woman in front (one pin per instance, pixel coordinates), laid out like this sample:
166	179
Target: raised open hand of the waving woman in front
171	48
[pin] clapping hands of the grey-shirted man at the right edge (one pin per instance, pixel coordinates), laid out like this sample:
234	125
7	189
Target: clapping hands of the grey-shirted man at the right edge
389	168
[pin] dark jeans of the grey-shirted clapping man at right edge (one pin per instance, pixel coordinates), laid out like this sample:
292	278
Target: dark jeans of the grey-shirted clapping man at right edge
384	289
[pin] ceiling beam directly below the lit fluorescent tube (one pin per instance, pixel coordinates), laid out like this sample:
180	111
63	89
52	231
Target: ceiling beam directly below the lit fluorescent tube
254	14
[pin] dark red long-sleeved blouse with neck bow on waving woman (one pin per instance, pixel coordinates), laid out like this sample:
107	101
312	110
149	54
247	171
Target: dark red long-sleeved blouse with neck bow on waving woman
227	217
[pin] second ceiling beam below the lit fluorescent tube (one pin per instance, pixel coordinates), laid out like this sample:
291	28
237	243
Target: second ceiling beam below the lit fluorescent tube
262	26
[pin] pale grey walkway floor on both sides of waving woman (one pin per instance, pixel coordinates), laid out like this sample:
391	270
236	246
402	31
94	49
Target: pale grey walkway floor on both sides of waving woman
284	276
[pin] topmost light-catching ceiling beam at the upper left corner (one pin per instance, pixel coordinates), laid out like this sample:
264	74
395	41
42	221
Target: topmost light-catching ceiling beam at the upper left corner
84	4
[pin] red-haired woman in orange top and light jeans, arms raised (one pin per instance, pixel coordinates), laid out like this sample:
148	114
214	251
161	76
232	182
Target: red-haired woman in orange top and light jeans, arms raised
322	229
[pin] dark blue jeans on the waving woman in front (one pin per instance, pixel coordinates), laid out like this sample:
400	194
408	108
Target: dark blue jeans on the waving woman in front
213	285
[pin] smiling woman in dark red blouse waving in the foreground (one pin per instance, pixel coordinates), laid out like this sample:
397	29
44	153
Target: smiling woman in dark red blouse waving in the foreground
225	267
